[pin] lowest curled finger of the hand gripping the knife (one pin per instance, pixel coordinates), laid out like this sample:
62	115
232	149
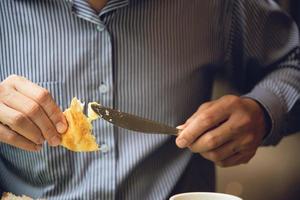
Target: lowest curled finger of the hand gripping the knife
236	159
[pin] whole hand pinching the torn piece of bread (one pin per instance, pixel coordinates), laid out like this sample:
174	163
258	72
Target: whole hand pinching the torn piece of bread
28	115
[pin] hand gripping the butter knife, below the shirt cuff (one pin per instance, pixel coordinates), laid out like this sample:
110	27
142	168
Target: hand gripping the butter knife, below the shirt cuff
227	131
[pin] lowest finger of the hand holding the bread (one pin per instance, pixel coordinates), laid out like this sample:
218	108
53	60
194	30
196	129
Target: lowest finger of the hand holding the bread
12	138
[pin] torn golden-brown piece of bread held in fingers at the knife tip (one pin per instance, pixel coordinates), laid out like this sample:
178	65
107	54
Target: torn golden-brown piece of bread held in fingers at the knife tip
79	136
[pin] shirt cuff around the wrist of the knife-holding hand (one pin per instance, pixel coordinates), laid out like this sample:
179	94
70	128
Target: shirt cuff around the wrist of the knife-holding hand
274	108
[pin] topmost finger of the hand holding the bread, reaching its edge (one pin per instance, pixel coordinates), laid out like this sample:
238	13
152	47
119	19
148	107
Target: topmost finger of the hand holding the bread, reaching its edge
43	98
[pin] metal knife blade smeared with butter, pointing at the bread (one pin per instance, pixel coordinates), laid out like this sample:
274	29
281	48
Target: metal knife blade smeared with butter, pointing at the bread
132	122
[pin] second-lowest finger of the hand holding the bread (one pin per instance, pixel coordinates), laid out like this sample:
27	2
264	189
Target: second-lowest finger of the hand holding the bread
20	124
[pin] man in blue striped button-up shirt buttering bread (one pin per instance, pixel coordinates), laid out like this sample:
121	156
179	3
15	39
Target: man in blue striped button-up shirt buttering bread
156	59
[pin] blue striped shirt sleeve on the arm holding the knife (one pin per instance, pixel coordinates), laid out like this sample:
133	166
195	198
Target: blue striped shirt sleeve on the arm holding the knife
263	62
